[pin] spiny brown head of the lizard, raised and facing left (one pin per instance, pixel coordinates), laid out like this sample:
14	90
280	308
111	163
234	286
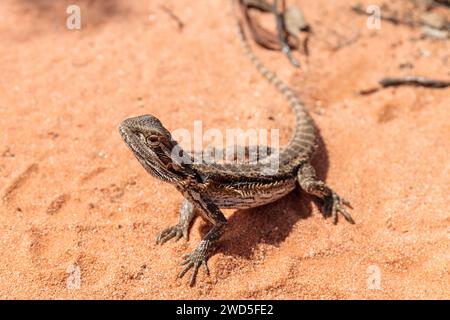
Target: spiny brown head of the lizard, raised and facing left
153	146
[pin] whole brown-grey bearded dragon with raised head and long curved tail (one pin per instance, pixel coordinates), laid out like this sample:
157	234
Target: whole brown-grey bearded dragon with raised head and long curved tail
207	187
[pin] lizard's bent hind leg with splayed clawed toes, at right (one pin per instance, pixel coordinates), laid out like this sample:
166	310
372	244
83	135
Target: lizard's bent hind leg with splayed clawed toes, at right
332	202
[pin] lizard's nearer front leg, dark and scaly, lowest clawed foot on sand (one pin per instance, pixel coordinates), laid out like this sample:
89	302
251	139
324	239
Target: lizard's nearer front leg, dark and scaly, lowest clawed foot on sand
200	255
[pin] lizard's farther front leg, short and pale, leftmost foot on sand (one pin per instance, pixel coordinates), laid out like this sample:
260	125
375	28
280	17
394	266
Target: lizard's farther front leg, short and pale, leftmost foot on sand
181	229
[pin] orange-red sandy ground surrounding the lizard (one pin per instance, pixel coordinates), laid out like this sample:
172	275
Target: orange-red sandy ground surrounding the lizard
73	194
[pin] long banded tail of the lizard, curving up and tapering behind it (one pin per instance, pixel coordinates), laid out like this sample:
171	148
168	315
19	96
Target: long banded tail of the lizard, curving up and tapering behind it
303	142
